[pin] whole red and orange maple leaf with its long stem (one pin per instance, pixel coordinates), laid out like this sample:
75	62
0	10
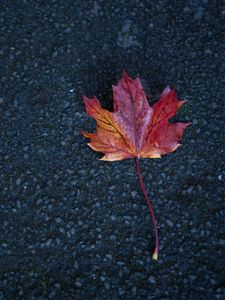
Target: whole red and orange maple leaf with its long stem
135	129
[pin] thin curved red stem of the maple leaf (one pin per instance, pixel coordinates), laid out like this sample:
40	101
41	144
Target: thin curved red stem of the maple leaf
156	251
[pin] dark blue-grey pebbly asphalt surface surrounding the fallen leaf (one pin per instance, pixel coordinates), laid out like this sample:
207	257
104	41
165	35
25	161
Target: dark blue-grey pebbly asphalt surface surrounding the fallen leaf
73	227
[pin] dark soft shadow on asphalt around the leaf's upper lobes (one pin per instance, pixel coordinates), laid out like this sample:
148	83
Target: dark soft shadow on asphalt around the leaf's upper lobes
108	71
